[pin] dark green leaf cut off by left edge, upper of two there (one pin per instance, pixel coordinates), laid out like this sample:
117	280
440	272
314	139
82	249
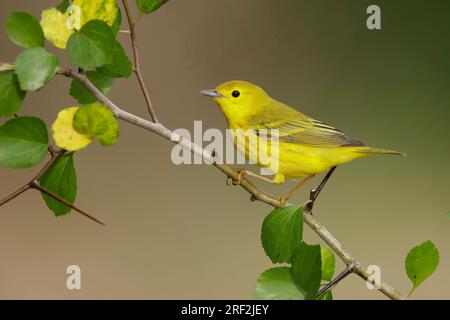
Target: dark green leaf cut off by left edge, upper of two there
11	96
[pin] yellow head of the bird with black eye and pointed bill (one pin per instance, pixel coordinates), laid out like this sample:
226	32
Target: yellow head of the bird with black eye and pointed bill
239	100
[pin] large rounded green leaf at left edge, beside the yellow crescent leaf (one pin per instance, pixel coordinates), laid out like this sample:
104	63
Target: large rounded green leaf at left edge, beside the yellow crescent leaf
23	142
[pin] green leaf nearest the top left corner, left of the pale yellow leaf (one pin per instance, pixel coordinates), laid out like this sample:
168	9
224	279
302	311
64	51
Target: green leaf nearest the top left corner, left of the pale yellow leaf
24	30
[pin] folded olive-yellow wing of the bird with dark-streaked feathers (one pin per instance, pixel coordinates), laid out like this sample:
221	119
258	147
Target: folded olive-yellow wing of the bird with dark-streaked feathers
295	127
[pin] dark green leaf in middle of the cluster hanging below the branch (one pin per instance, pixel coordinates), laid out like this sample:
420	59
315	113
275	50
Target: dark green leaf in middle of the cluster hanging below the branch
307	268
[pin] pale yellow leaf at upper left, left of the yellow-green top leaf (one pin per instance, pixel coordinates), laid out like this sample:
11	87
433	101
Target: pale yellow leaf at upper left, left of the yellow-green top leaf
56	29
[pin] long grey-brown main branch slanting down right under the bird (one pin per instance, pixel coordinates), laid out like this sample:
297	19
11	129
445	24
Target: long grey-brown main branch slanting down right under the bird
256	193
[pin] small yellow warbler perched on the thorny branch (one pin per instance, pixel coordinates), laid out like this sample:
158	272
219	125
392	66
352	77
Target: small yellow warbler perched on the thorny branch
306	146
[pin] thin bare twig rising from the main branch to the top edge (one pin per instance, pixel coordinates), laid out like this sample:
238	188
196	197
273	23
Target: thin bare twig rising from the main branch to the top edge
137	63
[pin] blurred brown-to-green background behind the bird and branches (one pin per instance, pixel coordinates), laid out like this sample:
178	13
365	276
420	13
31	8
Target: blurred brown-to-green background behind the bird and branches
178	231
